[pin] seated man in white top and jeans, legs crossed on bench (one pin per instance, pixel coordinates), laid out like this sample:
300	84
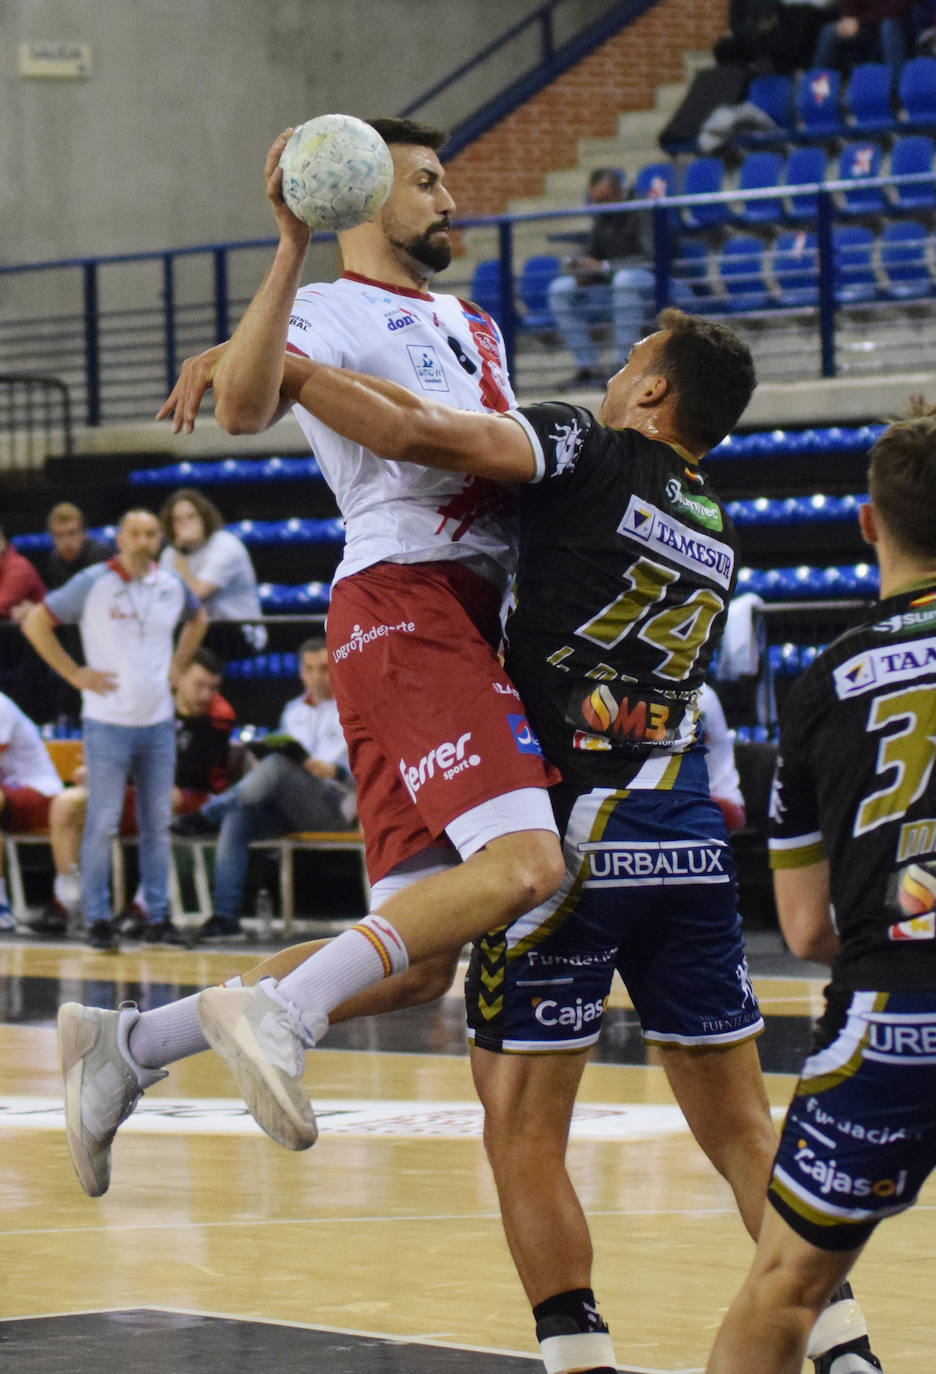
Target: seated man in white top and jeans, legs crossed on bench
300	782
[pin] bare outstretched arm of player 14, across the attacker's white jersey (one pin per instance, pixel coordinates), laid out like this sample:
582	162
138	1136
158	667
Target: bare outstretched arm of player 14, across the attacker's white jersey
394	424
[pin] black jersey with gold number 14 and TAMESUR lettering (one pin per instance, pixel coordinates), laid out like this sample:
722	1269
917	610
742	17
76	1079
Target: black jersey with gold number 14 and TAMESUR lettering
627	561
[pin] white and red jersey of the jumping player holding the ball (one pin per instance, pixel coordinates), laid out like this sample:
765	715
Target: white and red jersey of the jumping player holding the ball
438	346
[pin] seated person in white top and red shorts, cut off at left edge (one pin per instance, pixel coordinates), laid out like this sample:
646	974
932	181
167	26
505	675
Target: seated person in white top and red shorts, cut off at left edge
28	785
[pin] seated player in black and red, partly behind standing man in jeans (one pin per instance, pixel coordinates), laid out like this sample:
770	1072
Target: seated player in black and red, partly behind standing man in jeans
205	763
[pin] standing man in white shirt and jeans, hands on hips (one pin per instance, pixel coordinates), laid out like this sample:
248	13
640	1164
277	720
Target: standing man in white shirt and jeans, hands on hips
127	611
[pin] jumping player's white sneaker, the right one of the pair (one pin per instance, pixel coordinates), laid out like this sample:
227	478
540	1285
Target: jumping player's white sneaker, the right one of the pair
265	1042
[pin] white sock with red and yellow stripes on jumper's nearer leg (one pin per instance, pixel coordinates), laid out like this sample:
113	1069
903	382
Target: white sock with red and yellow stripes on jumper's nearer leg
350	964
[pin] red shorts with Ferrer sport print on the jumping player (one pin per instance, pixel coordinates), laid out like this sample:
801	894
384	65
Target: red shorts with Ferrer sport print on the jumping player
434	725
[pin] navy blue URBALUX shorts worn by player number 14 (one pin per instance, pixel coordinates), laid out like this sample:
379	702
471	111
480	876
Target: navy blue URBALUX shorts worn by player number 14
651	892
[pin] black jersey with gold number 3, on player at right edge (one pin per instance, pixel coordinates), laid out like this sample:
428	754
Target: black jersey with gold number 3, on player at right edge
856	784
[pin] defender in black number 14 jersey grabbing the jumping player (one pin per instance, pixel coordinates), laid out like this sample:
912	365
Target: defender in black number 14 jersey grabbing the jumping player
627	564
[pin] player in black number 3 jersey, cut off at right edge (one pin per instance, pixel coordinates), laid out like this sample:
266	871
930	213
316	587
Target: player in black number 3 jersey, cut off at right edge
854	855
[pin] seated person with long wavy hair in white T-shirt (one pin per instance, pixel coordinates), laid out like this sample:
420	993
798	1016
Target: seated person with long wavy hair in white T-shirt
215	564
